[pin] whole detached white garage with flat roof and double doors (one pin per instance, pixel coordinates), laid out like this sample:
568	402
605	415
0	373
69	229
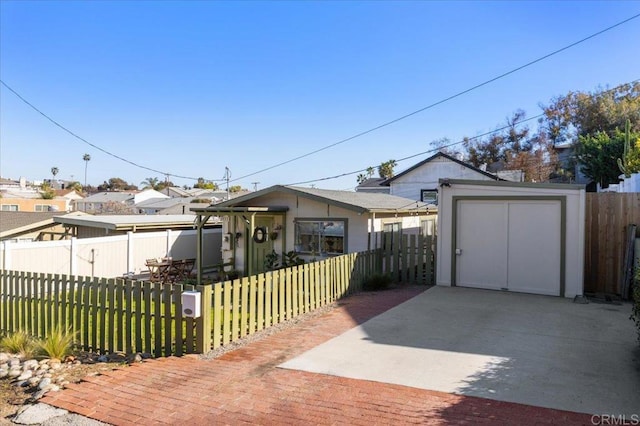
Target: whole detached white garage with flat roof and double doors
521	237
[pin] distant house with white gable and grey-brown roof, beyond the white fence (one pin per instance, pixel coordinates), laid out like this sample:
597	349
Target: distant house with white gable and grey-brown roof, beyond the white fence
116	202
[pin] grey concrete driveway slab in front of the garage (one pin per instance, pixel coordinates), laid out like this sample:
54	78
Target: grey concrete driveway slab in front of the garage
537	350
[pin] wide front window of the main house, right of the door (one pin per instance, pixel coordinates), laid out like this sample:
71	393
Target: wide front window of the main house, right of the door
318	237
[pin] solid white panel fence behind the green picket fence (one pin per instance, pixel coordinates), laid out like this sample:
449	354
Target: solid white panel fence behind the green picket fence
108	257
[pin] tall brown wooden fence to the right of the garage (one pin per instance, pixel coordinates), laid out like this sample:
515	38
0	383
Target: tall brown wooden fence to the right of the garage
607	217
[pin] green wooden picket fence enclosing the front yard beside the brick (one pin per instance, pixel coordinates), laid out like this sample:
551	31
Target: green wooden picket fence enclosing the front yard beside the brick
117	315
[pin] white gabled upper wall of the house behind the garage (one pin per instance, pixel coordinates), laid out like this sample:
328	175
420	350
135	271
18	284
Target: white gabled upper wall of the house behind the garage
428	175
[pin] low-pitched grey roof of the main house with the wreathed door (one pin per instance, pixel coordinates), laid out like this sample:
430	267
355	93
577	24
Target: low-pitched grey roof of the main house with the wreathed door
357	201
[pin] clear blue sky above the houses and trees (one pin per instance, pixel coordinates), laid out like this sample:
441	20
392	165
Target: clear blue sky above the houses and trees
190	88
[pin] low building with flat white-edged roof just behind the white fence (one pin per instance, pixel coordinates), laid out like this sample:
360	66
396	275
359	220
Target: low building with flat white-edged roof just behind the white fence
103	225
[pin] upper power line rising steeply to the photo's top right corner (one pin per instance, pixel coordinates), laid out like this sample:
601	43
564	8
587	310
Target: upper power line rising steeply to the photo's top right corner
477	86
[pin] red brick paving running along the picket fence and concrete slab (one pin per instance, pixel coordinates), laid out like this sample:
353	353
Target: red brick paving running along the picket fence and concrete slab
244	386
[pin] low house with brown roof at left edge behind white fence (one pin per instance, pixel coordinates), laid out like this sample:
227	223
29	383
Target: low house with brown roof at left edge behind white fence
31	226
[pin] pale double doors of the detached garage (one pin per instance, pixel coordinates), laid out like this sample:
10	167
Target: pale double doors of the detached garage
509	245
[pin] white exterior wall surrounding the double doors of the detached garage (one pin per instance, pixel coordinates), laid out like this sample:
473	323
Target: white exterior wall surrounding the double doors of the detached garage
575	218
